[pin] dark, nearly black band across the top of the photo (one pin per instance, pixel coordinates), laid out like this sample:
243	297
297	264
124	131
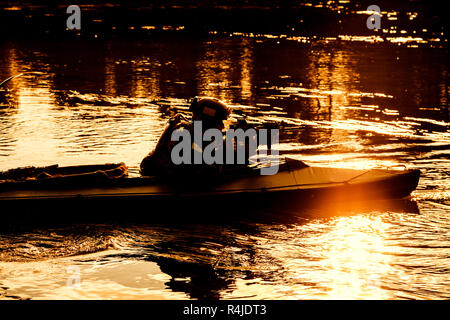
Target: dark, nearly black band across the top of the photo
139	19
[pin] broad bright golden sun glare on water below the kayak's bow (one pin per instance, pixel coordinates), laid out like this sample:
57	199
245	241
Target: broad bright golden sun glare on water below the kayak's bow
346	257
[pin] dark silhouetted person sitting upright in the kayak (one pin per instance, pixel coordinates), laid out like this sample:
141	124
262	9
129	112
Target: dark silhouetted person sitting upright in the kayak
212	113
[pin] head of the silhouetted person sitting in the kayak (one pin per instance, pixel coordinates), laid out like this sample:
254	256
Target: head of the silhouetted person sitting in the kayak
212	112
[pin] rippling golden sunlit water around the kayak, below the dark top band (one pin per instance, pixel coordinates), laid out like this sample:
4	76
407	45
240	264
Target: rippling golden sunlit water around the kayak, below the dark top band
345	101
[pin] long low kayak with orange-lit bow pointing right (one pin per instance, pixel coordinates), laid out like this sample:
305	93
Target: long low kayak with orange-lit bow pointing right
295	182
